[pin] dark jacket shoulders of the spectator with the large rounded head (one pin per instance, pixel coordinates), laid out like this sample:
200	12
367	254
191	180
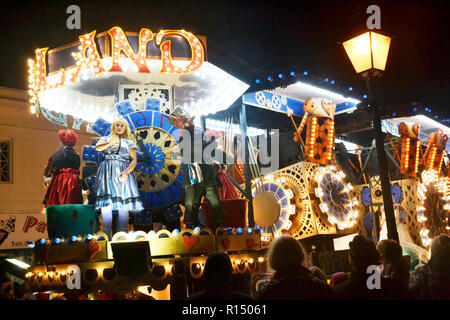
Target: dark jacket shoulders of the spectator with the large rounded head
300	286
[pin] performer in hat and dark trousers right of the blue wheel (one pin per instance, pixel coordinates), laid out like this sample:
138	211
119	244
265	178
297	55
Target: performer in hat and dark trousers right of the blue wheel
200	179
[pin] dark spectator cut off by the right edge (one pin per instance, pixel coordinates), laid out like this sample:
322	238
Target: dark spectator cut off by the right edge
431	281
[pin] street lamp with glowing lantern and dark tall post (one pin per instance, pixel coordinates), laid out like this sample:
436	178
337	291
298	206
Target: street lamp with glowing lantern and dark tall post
368	54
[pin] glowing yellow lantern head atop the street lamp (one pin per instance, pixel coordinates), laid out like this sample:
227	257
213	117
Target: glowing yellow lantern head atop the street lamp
368	52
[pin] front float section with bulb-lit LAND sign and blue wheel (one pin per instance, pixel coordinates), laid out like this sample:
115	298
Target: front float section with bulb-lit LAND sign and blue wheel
141	77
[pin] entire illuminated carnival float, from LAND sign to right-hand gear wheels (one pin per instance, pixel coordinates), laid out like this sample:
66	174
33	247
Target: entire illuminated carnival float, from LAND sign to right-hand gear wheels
317	186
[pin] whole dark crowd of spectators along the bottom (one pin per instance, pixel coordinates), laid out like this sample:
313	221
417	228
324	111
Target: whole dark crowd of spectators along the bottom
378	272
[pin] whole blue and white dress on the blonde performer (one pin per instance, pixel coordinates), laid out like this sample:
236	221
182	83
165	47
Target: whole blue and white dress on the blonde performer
111	192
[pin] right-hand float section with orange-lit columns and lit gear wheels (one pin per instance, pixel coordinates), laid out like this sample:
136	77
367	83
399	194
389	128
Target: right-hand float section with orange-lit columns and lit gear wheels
331	186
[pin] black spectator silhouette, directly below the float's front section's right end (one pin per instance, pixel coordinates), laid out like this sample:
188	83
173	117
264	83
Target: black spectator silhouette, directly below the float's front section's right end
217	278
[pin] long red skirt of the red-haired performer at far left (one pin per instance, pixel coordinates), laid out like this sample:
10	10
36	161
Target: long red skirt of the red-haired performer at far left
64	188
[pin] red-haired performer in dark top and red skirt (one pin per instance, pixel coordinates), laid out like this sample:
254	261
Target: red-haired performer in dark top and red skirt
61	175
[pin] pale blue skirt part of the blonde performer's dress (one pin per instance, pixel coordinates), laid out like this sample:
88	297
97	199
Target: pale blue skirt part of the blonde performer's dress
116	194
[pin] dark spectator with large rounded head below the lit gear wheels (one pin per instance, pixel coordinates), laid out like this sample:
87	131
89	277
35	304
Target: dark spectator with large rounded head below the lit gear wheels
291	281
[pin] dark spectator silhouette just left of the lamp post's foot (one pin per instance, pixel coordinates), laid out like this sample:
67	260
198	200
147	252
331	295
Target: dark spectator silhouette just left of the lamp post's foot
363	254
